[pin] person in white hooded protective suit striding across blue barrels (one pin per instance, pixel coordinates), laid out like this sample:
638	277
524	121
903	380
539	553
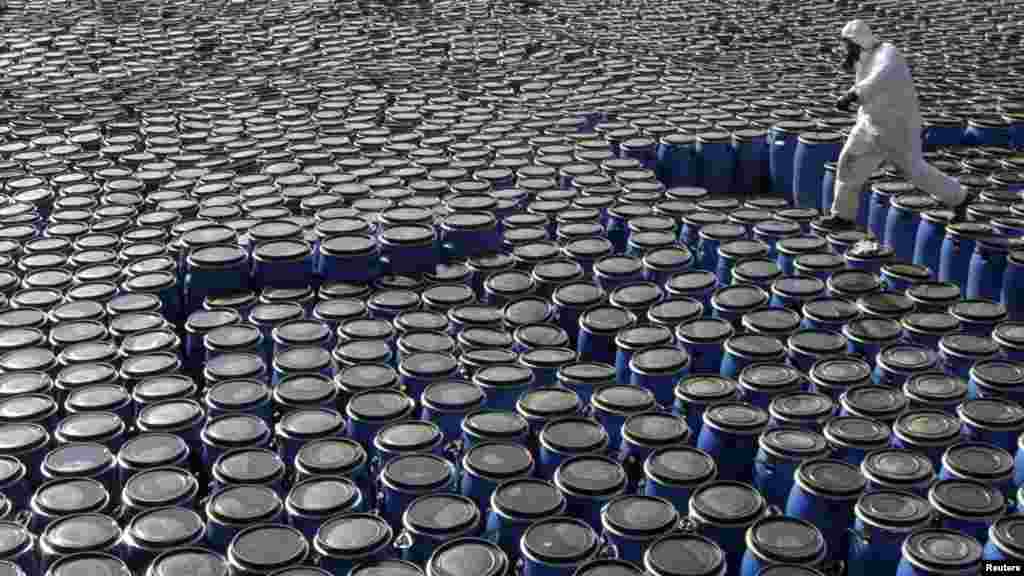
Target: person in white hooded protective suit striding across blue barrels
888	129
